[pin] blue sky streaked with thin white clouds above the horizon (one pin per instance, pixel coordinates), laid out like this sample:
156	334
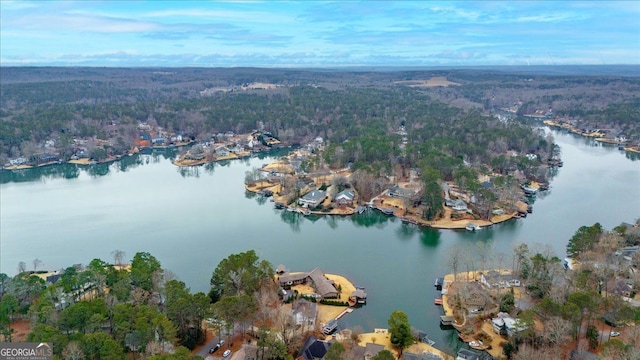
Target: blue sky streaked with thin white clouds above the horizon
318	34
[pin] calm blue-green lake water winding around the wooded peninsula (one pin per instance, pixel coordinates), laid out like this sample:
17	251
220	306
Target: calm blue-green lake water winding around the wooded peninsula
191	219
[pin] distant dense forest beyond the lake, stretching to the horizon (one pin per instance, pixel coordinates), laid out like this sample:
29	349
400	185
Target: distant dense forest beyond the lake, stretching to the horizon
454	119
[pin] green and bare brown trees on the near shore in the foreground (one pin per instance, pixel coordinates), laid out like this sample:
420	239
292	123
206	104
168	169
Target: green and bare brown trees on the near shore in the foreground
137	309
